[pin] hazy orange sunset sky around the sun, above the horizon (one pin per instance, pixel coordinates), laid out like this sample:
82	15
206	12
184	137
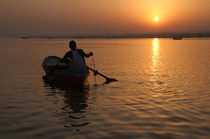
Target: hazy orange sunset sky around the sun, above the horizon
74	17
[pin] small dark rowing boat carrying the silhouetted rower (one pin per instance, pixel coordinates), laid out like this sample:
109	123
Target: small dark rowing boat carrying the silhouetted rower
57	71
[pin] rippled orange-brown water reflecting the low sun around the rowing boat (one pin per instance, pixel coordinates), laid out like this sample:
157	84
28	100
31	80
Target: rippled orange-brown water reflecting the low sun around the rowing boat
163	90
